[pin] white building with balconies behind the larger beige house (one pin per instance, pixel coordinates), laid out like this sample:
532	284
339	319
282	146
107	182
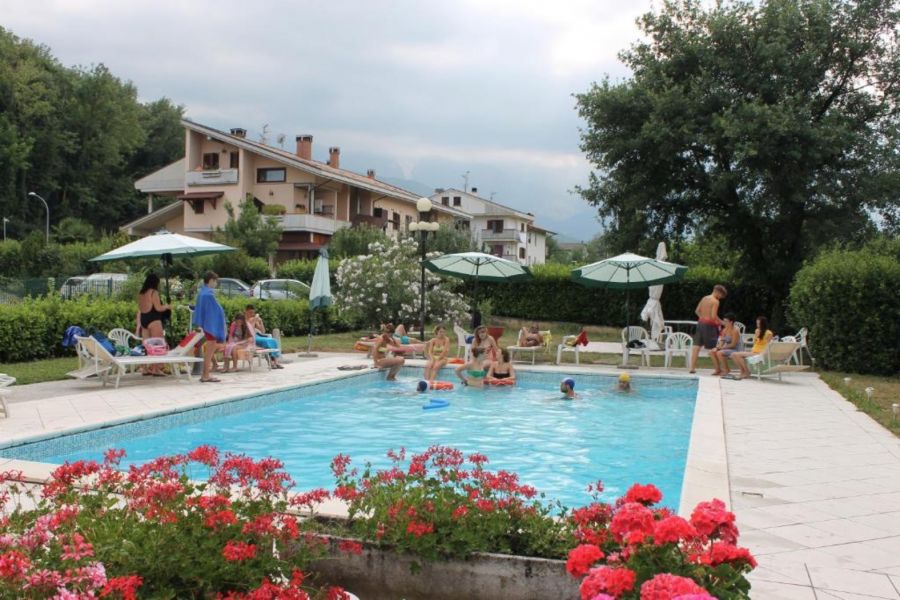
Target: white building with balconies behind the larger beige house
498	229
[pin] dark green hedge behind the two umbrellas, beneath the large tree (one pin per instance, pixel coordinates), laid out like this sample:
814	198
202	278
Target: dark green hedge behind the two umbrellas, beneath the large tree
553	296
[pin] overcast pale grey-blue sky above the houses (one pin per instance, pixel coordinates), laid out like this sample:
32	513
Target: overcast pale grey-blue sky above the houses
422	91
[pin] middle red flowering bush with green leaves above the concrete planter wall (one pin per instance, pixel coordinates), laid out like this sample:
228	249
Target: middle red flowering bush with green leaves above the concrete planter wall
442	503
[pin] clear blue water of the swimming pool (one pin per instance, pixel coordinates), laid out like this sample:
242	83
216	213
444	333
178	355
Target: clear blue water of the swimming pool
558	446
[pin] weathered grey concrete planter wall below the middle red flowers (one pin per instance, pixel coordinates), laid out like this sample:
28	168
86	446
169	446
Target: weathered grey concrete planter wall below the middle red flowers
381	574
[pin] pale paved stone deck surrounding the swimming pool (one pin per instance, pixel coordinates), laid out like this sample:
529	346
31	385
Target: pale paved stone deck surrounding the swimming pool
815	483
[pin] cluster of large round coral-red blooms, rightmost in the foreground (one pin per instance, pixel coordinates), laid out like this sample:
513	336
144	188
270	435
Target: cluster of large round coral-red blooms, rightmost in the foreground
631	551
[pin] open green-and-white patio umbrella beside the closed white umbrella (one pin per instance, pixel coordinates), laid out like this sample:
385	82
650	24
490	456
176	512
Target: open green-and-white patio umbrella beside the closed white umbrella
628	272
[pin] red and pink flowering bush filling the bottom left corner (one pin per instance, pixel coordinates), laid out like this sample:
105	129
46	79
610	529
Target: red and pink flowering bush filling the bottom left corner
94	531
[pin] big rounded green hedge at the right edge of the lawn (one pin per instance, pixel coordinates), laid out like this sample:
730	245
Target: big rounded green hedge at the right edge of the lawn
849	301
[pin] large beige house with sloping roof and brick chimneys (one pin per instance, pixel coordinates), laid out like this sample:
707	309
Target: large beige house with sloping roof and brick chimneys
315	198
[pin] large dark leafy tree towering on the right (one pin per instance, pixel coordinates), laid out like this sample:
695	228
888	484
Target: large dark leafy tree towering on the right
771	124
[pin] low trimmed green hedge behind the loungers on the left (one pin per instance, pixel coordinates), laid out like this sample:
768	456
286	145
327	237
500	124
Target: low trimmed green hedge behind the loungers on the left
33	328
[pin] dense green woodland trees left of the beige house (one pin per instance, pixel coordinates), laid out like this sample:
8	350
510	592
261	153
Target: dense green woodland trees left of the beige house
77	136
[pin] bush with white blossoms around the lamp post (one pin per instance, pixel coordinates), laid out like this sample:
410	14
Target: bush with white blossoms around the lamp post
384	286
